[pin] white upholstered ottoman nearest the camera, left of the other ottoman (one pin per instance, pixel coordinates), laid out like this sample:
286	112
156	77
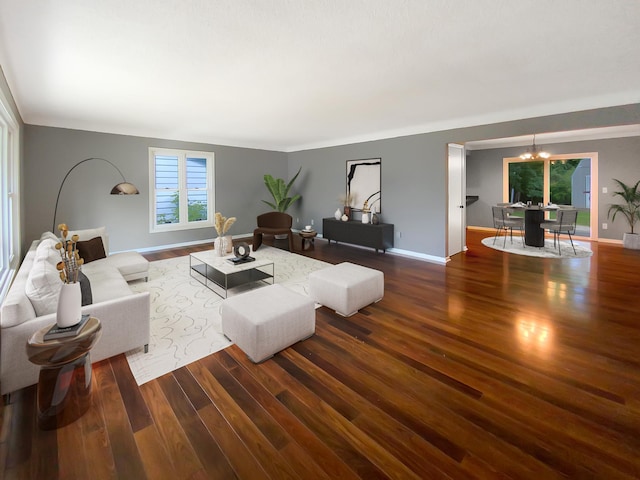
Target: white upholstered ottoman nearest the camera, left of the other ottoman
266	320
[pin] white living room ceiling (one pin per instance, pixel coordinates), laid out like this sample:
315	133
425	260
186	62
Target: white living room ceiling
290	75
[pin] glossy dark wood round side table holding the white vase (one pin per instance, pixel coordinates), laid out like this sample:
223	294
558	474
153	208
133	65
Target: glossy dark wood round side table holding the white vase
64	384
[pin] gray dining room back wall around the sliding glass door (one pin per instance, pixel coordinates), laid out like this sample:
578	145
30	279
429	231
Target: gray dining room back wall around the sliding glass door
617	158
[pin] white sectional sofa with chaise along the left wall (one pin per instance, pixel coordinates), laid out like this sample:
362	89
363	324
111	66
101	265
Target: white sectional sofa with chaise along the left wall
31	302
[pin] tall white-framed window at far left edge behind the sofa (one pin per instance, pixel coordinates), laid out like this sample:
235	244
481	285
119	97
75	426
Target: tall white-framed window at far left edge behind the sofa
9	195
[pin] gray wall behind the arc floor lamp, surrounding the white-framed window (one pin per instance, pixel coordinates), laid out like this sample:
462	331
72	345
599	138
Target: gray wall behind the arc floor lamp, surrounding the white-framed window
85	201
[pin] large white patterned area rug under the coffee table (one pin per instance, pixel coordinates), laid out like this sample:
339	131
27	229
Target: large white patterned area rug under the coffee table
185	315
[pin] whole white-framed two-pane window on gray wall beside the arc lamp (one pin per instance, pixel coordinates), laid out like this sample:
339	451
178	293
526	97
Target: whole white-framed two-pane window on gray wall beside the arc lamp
181	189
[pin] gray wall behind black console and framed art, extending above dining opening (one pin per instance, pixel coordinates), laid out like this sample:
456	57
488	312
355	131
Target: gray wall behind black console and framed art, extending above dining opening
414	193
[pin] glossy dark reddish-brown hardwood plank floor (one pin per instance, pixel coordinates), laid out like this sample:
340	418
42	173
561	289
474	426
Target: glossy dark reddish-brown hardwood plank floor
495	366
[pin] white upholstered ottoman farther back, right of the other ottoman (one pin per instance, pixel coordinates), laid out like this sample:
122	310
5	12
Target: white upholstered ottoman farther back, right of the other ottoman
346	287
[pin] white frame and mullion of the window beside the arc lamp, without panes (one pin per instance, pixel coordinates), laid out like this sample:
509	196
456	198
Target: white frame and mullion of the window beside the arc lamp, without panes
182	190
